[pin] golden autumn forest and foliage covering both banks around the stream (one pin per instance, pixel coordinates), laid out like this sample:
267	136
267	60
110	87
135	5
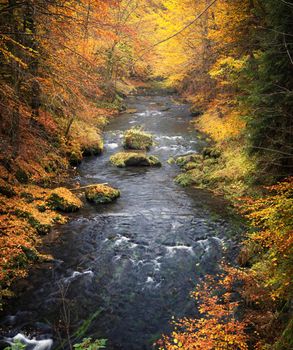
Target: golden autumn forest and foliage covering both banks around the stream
66	69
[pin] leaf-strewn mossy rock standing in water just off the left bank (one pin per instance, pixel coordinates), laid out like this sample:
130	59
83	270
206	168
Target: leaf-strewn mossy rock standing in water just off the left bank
101	194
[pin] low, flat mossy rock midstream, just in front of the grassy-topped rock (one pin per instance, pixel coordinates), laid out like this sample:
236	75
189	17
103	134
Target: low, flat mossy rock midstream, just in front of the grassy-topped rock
124	159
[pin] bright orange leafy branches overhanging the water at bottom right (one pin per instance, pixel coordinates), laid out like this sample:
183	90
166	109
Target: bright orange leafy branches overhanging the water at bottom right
217	327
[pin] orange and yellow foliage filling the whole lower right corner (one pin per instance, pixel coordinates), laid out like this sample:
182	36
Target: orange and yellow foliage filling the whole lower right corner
260	288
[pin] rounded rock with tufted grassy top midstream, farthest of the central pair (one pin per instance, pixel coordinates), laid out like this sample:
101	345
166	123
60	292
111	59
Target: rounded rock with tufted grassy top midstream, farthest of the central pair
137	139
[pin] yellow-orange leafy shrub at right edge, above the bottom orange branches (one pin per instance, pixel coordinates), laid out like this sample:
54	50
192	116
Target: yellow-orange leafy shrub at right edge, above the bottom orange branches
272	239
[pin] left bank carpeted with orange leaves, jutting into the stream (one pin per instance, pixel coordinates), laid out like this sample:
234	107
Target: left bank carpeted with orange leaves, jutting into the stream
25	214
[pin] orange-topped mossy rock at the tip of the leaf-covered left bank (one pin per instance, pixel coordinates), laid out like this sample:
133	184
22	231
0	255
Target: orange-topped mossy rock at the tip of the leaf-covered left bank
64	200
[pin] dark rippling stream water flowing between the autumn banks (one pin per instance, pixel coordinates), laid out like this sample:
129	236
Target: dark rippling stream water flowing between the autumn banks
130	265
